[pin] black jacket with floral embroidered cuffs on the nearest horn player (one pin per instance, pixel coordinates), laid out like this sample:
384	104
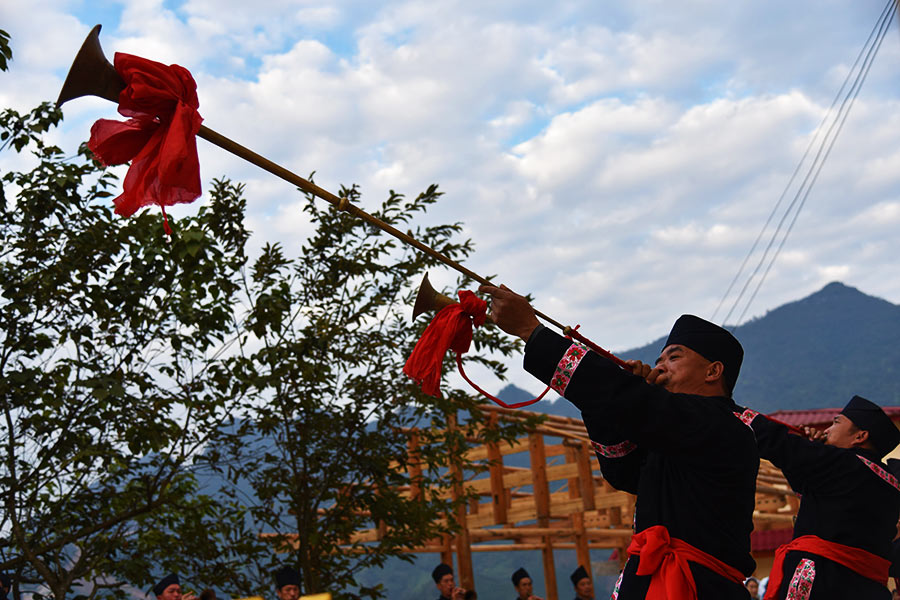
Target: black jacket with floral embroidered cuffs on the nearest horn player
689	459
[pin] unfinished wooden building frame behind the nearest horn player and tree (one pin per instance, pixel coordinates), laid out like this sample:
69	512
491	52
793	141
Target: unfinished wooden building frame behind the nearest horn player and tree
559	502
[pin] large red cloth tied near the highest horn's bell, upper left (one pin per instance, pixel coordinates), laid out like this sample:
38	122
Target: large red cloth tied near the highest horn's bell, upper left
159	139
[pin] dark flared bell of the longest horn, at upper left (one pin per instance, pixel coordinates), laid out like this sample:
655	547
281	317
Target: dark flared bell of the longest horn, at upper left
91	73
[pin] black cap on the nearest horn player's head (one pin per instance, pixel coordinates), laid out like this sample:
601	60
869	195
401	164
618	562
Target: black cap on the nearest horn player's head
711	342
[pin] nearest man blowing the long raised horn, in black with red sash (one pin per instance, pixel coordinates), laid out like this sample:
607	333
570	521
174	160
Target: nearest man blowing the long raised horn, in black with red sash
671	435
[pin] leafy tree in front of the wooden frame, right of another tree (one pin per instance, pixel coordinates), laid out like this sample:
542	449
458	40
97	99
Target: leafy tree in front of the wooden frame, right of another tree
321	450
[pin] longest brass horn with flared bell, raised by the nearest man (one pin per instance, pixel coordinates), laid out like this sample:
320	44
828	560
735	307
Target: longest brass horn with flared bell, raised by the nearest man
92	74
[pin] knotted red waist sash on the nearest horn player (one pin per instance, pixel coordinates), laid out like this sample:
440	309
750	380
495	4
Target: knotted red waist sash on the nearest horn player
665	559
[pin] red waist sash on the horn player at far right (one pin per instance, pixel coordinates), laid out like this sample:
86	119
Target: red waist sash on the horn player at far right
870	566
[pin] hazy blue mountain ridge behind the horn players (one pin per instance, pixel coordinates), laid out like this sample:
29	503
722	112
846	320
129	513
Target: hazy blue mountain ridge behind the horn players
813	353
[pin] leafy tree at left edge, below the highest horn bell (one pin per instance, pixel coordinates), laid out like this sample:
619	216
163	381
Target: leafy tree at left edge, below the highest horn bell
109	378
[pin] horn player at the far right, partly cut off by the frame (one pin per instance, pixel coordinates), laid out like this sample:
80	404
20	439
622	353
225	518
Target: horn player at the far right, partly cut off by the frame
849	506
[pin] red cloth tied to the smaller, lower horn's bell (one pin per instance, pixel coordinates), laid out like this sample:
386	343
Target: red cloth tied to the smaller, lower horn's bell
450	329
